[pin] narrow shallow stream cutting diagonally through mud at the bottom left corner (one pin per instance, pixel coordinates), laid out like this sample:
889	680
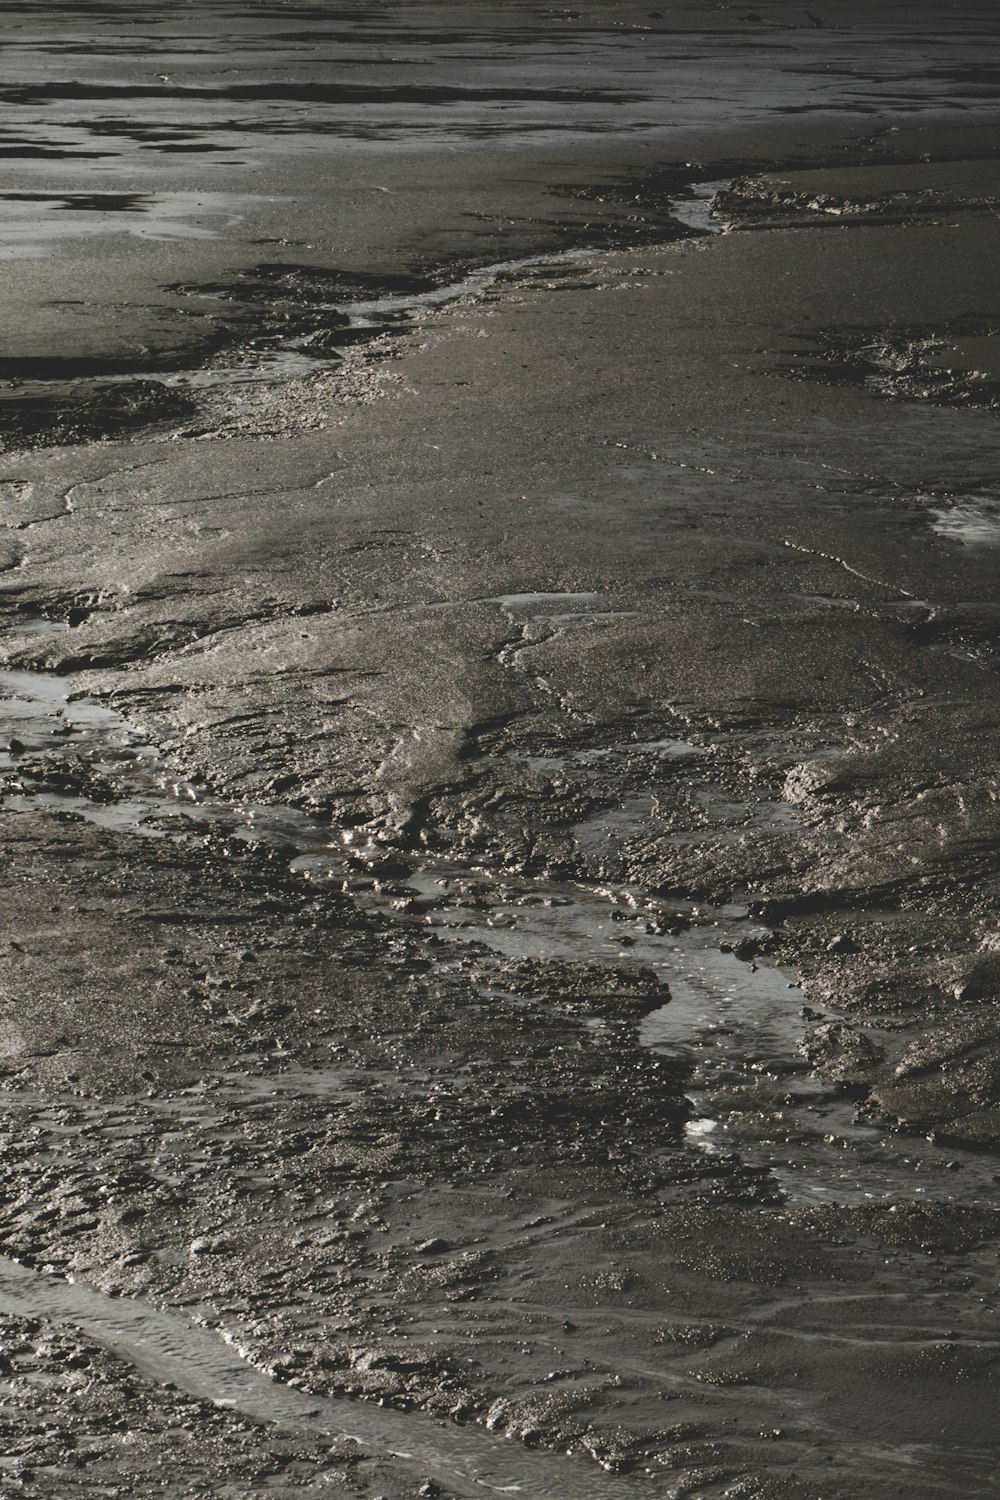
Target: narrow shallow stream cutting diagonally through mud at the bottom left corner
170	1349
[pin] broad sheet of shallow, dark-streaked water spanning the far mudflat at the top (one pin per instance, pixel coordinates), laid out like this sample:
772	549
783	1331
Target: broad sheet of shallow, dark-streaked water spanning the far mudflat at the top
137	109
